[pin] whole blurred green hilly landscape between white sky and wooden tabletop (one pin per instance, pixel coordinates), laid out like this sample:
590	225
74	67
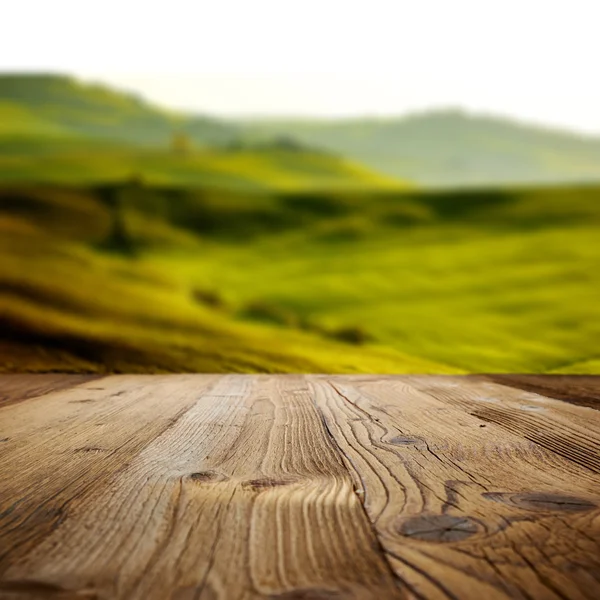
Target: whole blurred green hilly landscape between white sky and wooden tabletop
138	239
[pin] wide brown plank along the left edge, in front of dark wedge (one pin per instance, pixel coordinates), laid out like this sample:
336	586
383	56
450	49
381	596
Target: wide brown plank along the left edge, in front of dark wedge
70	443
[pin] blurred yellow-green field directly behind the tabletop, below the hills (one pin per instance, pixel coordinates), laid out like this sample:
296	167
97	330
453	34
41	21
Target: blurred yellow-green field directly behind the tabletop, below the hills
161	278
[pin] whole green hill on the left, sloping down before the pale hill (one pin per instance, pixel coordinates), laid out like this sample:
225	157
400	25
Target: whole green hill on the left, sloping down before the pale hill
55	129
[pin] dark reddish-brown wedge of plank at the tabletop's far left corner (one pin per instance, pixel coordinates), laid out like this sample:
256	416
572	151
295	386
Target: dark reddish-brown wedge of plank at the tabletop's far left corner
17	387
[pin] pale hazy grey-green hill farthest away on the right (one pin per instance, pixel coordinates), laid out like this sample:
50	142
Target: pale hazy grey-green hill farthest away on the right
449	148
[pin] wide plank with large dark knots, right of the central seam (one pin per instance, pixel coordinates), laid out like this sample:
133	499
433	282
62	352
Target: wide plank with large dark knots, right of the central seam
466	508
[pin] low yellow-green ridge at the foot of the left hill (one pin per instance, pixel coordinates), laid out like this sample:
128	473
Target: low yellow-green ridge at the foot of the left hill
77	162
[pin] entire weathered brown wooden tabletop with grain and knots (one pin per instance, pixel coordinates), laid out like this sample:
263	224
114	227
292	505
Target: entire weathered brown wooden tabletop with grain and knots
299	487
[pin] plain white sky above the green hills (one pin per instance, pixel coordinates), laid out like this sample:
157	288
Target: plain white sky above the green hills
536	60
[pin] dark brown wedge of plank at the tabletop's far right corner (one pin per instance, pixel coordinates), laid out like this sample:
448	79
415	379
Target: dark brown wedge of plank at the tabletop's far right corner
583	390
